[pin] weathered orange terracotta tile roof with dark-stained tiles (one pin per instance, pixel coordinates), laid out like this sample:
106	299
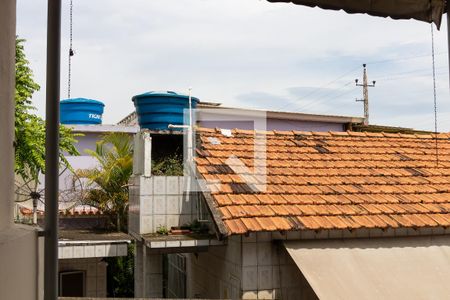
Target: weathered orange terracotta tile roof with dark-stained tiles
325	180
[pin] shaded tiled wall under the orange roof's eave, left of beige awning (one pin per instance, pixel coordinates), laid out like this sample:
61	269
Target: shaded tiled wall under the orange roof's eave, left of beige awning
248	267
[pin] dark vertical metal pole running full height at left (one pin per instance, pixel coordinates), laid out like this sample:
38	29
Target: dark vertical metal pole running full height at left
52	150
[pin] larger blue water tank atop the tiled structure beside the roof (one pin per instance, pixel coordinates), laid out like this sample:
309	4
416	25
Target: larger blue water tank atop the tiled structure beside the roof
156	110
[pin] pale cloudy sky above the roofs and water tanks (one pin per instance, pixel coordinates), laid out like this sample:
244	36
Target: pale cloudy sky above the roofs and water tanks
244	53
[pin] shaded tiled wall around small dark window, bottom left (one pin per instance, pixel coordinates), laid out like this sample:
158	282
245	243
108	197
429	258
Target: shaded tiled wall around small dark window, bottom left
95	270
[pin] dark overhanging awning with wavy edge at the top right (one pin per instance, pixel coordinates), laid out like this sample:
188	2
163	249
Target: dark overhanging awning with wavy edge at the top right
422	10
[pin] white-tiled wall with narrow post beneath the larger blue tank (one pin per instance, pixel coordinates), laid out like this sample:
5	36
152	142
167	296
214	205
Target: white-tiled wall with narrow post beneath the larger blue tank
157	201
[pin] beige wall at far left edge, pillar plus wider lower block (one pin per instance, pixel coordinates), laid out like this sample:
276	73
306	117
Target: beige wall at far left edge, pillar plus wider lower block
20	251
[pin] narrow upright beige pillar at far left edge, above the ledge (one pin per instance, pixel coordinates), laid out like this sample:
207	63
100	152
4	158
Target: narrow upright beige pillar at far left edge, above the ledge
7	89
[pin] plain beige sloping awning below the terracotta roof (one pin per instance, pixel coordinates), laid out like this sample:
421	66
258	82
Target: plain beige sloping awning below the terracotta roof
378	268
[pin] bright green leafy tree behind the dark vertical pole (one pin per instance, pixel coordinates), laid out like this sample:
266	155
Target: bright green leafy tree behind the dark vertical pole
29	144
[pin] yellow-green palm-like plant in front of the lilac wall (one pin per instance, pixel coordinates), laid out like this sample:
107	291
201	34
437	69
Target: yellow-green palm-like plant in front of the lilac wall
108	183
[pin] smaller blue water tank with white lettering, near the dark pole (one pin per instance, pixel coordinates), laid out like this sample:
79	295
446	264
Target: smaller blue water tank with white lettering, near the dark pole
81	111
